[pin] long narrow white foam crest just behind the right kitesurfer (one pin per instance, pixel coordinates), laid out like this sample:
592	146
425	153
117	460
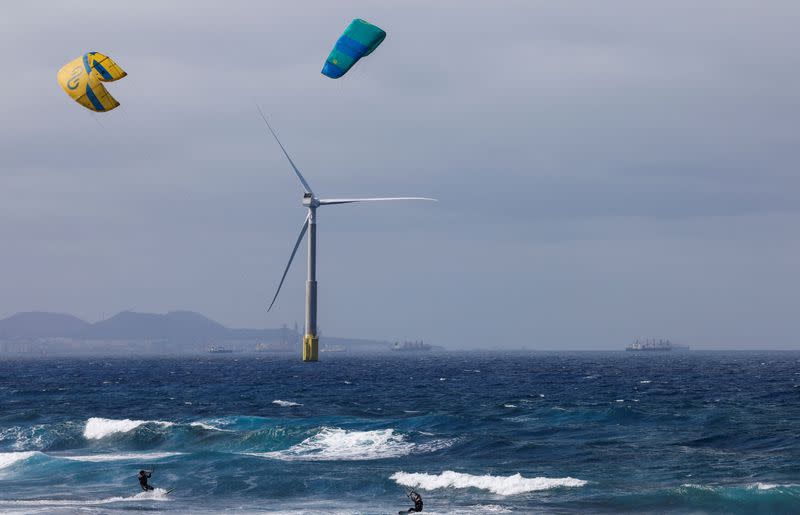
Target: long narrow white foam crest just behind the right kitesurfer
500	485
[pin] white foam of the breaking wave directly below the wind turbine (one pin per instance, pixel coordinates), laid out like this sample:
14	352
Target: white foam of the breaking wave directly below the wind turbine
340	444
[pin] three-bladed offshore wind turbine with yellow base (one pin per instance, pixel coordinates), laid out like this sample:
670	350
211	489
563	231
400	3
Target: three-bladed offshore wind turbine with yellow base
312	202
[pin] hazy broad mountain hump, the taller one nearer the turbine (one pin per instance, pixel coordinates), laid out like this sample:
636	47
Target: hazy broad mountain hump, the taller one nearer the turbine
176	326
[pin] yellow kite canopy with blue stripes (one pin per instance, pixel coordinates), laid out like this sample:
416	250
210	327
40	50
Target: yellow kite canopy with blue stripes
82	79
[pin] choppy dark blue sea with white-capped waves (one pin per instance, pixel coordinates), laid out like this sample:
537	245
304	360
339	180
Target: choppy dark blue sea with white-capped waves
606	432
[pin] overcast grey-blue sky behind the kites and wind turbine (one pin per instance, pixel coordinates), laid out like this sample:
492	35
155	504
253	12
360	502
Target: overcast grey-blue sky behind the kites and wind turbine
605	170
